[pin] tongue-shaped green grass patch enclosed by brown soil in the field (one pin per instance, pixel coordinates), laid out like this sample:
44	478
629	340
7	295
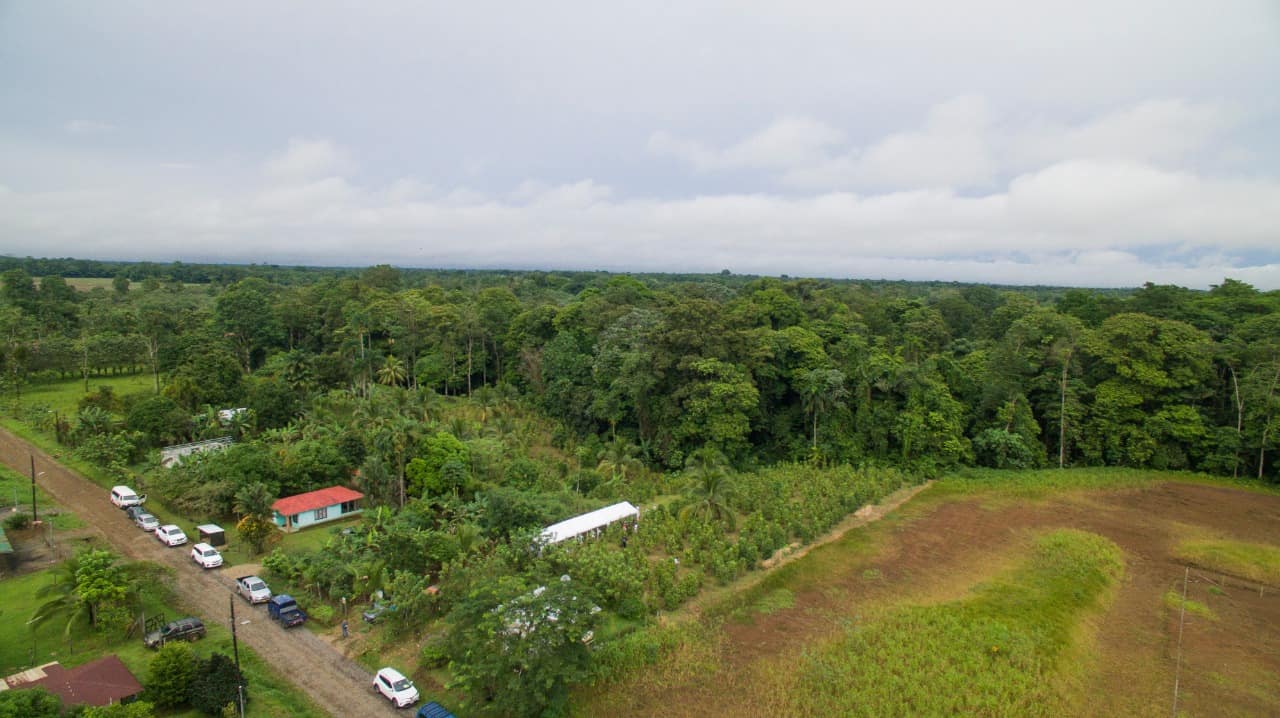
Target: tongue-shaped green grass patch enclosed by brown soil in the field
991	655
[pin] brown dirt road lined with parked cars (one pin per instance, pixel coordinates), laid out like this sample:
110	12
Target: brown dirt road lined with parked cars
335	683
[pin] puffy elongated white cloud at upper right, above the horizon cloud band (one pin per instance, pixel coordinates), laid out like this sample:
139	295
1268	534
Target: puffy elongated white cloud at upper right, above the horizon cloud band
962	144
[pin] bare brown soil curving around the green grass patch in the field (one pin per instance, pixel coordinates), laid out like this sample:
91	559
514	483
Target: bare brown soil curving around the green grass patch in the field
940	550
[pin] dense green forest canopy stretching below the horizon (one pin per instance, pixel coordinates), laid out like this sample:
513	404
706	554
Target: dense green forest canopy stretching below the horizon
924	377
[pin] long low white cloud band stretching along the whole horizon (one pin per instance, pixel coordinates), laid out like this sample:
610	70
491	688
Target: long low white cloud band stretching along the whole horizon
1089	222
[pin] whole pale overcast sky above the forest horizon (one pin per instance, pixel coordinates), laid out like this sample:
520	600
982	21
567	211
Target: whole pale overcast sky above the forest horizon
1084	143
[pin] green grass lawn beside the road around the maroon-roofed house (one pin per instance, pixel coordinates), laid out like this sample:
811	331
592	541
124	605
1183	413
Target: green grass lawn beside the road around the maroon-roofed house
22	648
